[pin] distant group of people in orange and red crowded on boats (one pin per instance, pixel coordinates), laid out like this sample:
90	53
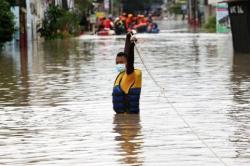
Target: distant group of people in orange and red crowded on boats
125	23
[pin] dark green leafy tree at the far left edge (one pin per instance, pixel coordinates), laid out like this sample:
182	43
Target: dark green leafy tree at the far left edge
7	24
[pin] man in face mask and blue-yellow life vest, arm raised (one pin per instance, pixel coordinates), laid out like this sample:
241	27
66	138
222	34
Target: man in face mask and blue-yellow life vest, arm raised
127	86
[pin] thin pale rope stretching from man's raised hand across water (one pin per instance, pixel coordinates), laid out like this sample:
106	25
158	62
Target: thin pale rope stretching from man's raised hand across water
163	91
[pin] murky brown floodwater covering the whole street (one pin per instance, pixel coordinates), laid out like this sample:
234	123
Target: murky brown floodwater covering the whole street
56	104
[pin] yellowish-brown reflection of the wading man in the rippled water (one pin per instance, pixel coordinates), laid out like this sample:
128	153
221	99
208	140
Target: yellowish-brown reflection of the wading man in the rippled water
130	138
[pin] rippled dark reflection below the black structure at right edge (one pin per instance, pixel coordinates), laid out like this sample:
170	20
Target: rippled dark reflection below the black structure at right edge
239	112
